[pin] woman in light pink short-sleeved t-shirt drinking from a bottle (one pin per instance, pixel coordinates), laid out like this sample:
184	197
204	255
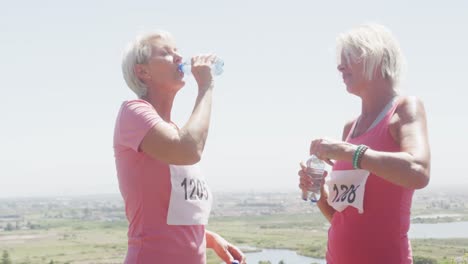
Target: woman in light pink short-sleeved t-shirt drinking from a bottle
167	199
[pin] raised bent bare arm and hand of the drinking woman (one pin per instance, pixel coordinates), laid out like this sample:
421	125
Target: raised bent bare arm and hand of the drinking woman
185	146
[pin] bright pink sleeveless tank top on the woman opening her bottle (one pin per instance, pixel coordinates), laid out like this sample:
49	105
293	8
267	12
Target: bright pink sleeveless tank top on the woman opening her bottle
379	234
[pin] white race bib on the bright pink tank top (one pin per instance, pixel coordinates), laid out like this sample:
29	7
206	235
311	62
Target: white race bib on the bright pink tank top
346	188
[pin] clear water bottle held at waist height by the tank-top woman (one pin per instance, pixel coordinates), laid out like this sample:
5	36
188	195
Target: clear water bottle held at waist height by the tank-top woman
315	169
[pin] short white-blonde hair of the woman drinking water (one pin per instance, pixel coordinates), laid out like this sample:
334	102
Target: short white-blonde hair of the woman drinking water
139	52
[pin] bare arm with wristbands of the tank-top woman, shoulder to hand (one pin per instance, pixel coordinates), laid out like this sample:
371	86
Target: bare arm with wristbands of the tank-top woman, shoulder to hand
410	167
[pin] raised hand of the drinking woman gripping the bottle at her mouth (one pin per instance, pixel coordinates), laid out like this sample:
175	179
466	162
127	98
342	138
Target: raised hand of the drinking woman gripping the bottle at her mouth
201	70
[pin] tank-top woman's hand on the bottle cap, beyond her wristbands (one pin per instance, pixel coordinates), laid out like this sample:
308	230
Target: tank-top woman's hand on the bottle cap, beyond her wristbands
328	150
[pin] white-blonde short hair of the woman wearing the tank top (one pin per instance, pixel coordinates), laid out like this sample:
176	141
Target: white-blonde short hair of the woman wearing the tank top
374	45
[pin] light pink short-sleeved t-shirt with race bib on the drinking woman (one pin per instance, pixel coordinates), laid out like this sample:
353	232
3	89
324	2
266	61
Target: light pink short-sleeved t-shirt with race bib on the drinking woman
167	206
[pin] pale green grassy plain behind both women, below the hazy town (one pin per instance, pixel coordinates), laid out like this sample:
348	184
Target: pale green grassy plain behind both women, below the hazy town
72	241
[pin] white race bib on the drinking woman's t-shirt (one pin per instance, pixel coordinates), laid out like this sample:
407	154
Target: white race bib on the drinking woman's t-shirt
191	199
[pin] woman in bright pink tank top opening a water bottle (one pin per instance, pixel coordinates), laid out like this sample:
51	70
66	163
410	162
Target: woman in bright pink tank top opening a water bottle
383	156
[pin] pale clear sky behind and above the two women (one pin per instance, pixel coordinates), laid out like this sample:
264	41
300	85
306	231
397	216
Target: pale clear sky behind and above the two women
62	85
